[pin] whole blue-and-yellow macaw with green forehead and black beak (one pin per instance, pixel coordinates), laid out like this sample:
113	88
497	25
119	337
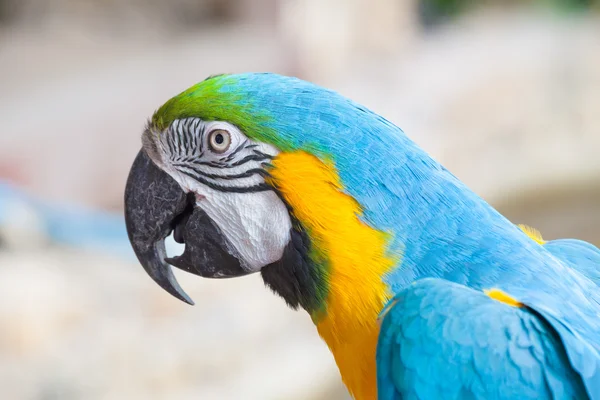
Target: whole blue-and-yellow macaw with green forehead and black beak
420	288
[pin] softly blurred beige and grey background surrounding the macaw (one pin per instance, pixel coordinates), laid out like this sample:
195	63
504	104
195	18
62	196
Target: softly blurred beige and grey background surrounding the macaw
505	93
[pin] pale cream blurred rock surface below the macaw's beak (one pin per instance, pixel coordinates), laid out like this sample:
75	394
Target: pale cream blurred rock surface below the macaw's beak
78	325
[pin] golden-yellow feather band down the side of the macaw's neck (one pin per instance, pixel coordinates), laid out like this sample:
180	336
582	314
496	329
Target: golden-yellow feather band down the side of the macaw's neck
356	261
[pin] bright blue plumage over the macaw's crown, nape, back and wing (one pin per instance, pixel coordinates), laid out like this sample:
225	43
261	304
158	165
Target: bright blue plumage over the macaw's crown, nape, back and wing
444	338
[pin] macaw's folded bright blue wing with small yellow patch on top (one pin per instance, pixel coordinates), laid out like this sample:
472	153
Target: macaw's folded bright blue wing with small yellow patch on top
441	340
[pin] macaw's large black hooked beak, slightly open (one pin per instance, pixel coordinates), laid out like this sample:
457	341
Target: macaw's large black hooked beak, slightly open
155	205
